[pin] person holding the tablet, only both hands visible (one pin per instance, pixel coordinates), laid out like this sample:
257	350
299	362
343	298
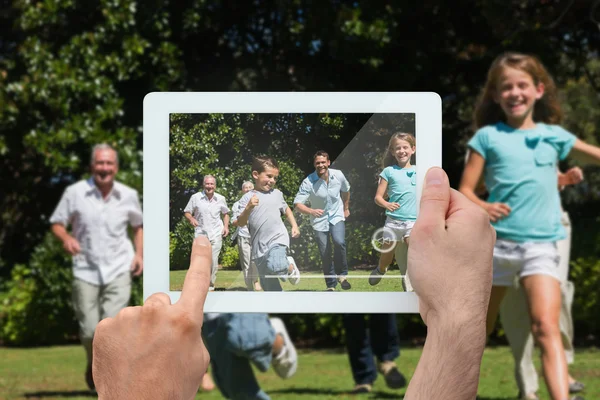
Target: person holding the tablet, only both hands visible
160	342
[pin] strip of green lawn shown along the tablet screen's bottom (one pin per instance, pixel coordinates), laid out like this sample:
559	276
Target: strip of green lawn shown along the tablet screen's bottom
229	279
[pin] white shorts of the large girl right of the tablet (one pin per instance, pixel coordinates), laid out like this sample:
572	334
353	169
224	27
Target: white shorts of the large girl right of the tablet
512	259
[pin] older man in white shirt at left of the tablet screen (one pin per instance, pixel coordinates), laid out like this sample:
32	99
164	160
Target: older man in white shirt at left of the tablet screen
204	211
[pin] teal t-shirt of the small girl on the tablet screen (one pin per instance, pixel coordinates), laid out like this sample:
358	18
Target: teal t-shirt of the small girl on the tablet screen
402	189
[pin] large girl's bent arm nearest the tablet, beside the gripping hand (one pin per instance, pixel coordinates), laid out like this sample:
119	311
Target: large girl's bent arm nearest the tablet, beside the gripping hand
470	178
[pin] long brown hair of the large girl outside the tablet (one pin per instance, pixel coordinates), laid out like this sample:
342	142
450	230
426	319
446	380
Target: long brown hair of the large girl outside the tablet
547	109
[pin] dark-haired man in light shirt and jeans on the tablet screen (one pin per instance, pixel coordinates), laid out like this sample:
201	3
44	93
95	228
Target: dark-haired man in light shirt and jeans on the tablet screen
328	192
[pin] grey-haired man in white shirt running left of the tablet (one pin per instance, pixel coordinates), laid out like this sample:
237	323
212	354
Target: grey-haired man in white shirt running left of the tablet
99	210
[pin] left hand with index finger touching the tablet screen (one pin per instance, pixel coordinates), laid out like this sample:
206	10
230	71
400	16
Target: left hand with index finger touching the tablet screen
156	351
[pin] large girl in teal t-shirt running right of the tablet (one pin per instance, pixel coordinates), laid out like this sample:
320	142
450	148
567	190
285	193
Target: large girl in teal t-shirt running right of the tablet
517	147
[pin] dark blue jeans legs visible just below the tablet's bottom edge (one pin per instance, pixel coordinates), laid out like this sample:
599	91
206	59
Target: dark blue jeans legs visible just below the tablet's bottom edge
380	339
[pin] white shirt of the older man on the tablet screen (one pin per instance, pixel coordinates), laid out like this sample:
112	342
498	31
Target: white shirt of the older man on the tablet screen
207	213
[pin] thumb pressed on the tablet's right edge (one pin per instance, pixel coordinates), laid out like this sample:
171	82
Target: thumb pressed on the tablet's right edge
434	201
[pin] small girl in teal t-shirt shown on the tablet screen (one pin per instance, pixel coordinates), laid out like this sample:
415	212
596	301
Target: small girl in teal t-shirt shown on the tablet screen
399	179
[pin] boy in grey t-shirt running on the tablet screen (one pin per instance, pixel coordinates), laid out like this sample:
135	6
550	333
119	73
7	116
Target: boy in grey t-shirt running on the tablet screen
269	239
